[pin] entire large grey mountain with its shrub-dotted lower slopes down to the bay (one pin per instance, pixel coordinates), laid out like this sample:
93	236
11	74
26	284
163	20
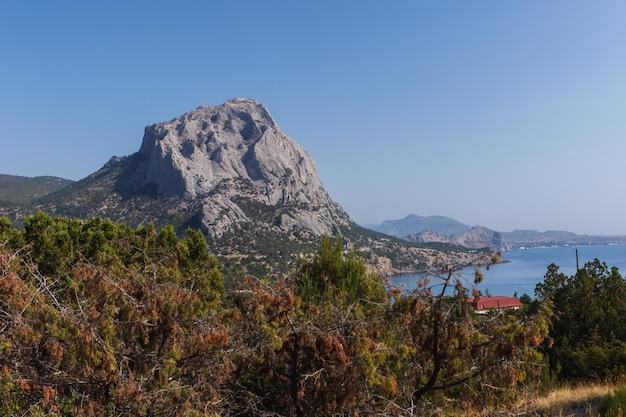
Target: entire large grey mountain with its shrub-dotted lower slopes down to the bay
230	171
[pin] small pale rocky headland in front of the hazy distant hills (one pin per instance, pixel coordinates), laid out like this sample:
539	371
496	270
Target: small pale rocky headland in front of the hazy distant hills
478	237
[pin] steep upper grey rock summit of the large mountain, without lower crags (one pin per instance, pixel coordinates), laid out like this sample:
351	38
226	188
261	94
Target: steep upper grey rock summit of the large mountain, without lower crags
189	155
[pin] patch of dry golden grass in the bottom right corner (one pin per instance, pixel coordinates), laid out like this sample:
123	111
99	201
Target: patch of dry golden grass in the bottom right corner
572	400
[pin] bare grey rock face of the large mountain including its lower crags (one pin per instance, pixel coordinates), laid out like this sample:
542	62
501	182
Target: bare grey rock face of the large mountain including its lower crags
234	152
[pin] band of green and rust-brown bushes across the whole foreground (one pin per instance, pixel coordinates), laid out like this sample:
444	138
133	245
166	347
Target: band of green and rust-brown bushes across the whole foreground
97	318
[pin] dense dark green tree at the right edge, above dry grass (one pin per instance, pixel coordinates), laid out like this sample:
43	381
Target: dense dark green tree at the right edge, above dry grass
588	334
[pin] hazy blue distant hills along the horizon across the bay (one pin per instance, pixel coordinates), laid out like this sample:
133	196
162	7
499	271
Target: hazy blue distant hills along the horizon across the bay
444	229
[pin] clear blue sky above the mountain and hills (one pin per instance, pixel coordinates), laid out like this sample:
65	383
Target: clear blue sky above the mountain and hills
506	114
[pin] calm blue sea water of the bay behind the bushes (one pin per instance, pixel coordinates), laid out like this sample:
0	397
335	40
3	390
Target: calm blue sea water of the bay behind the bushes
527	267
